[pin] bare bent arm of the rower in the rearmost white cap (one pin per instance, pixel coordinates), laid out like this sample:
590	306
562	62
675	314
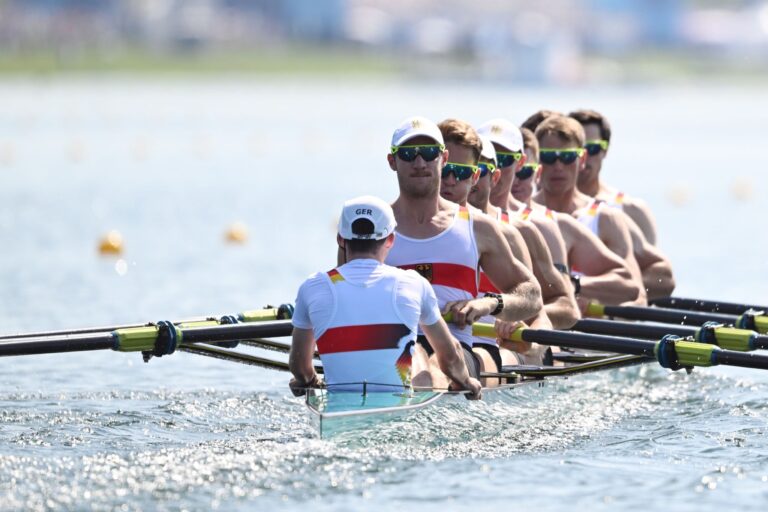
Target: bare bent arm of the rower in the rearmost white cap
606	278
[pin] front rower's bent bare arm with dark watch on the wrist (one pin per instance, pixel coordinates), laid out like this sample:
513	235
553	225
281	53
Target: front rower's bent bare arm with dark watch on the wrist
521	293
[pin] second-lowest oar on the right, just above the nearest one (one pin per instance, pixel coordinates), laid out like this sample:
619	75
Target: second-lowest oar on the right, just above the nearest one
731	338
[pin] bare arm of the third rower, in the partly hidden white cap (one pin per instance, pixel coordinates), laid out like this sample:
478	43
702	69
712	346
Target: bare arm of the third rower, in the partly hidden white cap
556	289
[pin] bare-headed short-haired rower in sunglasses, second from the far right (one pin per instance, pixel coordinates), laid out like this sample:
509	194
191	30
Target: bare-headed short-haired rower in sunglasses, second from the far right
562	154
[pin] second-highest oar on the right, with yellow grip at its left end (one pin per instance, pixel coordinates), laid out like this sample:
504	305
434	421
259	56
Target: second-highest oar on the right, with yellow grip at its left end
750	320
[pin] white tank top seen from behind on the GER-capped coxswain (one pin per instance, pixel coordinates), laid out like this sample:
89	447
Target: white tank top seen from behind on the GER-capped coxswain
368	338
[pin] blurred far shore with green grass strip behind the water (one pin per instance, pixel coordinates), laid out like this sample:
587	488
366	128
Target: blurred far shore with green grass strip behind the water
561	42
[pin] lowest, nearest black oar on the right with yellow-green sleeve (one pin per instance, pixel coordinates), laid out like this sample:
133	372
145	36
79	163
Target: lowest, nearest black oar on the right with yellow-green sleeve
671	351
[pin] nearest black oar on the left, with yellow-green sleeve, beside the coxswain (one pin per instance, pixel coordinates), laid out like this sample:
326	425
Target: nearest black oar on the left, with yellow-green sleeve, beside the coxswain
160	339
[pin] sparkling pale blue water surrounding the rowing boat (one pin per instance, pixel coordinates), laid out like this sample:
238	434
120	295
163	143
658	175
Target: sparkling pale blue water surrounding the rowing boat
172	164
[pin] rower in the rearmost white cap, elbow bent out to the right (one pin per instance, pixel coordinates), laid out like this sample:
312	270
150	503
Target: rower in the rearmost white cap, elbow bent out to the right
606	278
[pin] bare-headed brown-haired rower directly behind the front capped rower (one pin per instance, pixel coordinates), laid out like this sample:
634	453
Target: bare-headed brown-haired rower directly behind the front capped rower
459	176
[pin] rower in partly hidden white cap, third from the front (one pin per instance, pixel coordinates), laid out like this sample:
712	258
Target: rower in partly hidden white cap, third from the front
556	289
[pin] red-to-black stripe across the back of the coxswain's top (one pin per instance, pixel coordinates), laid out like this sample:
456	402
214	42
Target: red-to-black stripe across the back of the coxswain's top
355	338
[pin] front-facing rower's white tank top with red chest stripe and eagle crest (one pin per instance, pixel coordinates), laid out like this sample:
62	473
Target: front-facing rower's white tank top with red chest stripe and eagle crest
448	260
